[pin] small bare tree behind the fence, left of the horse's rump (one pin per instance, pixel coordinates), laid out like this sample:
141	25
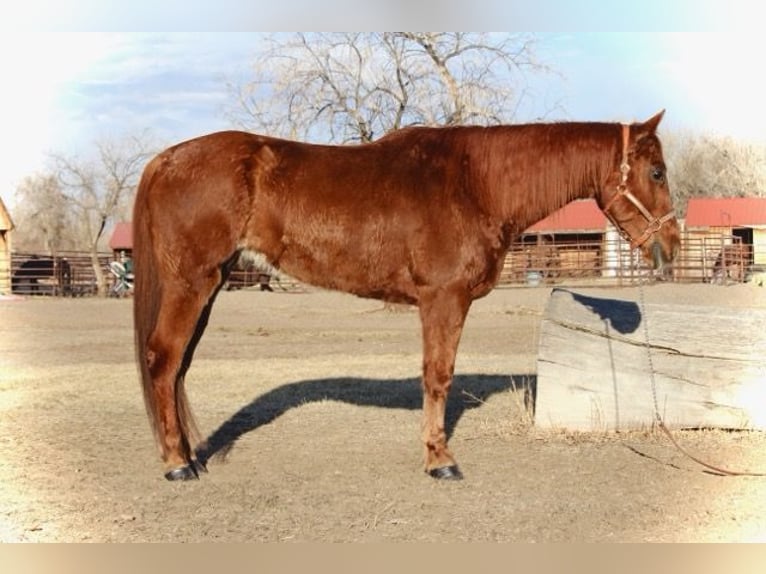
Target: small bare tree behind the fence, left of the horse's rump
101	190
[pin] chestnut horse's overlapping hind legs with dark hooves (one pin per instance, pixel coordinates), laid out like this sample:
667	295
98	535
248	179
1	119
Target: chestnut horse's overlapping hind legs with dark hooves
182	315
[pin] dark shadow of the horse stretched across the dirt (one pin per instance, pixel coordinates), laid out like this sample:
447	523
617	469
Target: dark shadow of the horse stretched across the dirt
468	392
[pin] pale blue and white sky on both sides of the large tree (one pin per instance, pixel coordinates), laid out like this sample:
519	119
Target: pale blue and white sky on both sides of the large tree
65	87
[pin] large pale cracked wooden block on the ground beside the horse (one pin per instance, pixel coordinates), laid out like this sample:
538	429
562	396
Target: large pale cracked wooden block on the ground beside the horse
594	368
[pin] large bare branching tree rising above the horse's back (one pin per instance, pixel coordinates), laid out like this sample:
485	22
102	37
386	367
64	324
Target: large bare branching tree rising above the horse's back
346	87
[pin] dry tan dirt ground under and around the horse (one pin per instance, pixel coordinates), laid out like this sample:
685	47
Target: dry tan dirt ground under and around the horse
315	398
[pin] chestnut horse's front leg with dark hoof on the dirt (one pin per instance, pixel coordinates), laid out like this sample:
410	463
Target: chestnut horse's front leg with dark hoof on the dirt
442	313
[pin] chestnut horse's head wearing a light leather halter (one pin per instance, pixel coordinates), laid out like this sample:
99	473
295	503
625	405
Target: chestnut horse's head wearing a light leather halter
636	196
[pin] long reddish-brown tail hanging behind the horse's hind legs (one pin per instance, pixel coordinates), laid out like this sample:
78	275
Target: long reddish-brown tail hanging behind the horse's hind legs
147	289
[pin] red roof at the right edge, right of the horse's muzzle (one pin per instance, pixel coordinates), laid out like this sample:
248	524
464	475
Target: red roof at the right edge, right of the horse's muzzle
726	211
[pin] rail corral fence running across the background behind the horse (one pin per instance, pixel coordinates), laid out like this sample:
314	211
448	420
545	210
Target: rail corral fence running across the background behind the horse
719	259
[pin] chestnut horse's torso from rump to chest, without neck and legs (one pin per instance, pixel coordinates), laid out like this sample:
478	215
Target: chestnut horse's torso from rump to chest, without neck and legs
374	219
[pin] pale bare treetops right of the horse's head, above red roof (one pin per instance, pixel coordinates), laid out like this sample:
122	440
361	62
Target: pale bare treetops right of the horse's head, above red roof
702	165
